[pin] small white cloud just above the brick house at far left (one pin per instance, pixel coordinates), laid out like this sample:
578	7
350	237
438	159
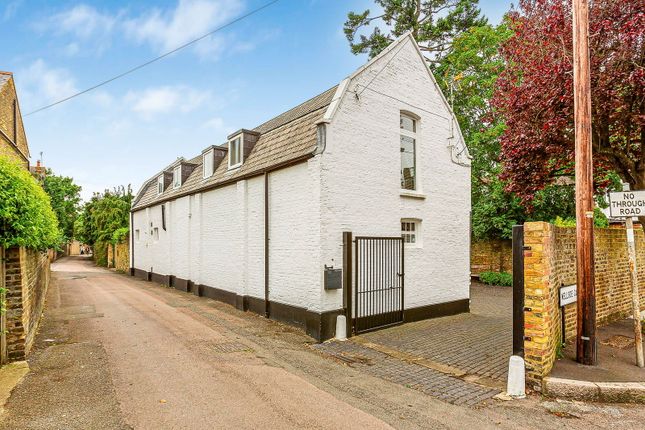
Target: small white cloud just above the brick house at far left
41	84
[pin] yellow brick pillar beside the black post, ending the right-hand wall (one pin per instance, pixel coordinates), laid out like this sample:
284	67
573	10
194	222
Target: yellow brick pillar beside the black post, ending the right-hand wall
541	323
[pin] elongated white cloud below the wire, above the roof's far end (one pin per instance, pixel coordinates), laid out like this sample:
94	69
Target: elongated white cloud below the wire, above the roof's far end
162	100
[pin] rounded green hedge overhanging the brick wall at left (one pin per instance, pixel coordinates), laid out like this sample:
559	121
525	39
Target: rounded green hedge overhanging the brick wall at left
26	215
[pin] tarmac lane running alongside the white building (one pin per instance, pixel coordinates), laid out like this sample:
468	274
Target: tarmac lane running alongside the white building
114	352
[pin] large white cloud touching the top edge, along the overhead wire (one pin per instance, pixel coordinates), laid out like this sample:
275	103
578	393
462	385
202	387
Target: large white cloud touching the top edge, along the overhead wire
166	30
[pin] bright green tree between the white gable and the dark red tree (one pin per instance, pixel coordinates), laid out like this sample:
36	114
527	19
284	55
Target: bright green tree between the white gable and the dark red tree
467	74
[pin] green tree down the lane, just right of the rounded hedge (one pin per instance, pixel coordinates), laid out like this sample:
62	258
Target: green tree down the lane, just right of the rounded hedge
65	199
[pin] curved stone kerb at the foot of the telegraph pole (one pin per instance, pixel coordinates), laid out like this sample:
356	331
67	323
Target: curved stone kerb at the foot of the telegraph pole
609	392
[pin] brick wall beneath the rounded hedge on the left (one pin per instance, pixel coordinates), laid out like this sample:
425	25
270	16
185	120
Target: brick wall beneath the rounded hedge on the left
27	277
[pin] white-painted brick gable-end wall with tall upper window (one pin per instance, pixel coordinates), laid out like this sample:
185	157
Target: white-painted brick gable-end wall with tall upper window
360	180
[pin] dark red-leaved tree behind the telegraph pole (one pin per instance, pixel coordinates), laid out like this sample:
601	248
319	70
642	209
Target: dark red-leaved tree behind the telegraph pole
534	94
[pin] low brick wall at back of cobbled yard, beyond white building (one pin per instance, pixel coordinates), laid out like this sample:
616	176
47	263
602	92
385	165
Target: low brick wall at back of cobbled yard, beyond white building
491	255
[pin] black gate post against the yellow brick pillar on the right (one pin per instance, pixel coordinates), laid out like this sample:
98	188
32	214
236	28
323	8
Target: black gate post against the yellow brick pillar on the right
518	290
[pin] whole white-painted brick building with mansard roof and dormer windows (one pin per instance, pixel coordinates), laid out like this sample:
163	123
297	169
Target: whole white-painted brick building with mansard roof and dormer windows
263	221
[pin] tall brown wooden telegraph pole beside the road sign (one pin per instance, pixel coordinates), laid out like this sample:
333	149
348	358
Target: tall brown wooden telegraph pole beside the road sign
586	327
